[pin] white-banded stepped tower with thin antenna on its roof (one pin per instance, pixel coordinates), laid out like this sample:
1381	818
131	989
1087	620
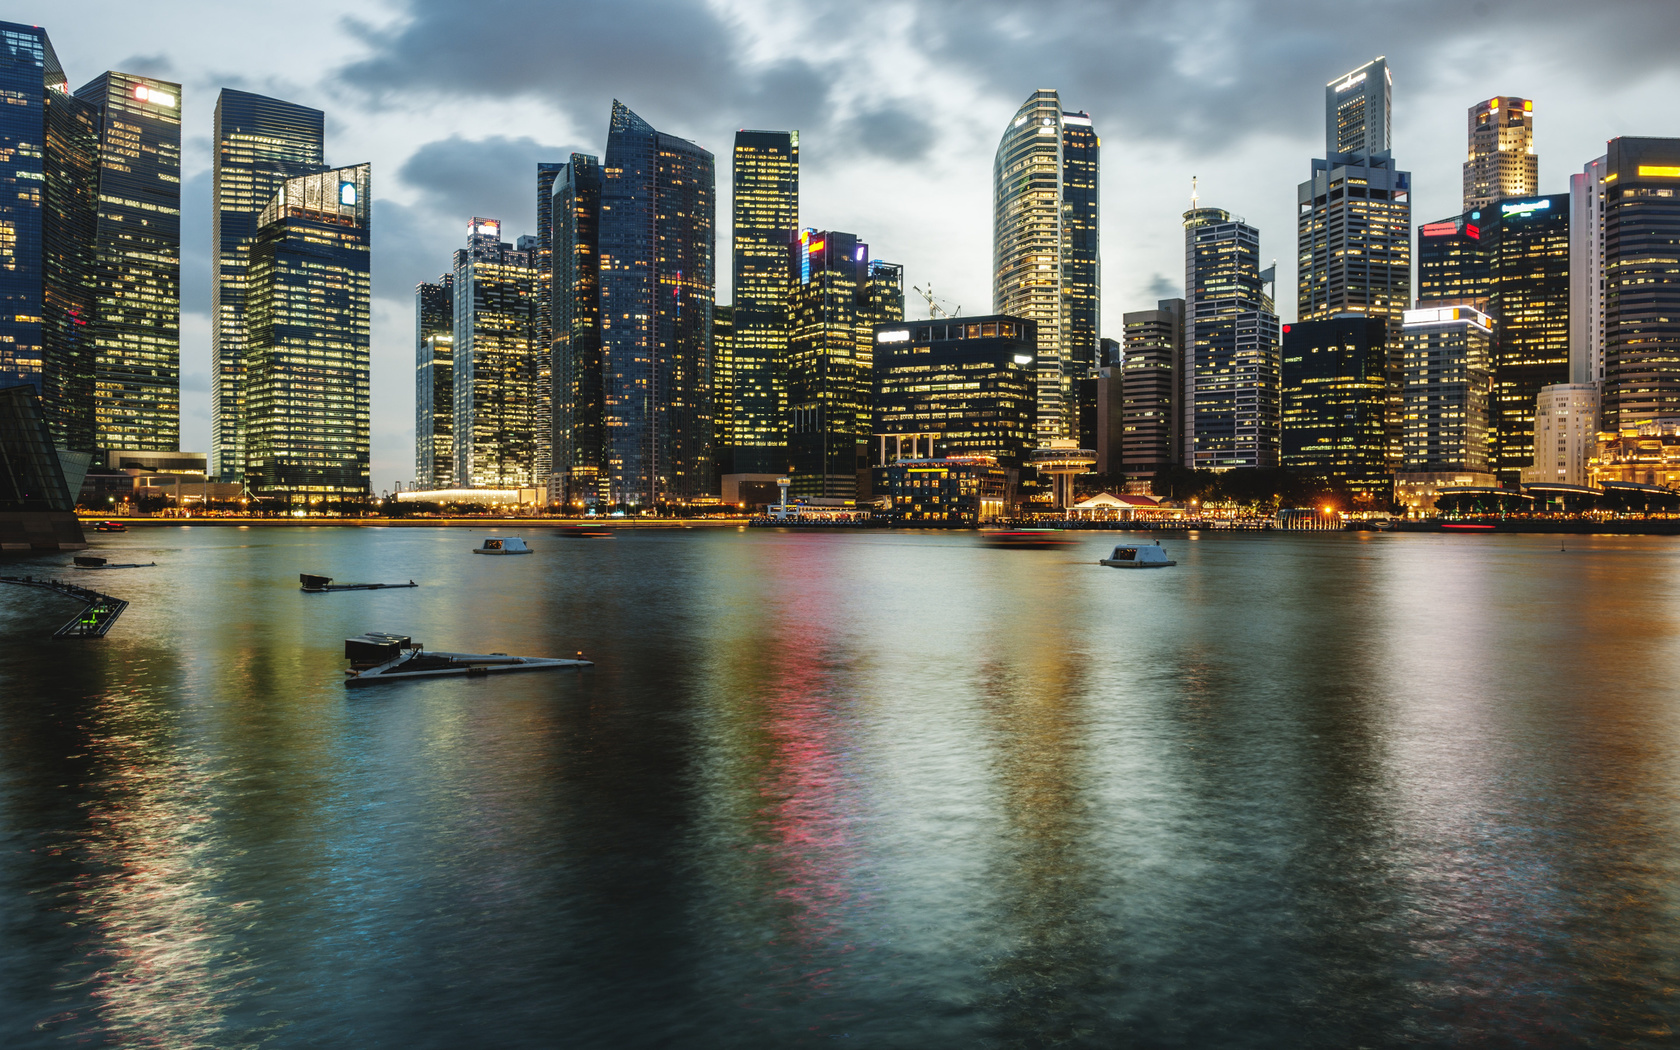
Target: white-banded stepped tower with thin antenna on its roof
1231	347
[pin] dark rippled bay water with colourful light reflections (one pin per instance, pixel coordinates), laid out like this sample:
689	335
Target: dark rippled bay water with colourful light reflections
1321	790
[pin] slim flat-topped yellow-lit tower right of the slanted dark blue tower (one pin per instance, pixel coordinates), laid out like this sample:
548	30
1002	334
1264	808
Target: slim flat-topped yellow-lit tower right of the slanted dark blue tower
767	219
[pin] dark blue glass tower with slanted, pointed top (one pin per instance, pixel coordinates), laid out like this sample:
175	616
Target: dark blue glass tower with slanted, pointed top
658	283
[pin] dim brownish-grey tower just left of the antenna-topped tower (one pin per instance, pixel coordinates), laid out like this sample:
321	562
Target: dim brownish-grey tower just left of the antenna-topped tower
1152	404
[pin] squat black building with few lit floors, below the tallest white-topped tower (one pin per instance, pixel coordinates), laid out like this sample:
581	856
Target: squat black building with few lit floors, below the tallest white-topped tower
1336	401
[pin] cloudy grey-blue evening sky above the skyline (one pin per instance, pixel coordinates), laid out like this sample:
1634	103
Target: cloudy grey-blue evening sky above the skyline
900	108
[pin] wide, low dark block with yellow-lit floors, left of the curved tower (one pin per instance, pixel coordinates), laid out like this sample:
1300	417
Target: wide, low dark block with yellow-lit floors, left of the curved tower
965	382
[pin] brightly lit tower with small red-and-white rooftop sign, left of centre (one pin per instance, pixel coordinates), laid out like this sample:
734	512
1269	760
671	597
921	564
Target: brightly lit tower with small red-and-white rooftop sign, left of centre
498	362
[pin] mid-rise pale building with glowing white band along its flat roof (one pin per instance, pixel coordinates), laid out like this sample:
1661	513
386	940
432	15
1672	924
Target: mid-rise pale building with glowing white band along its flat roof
1449	384
